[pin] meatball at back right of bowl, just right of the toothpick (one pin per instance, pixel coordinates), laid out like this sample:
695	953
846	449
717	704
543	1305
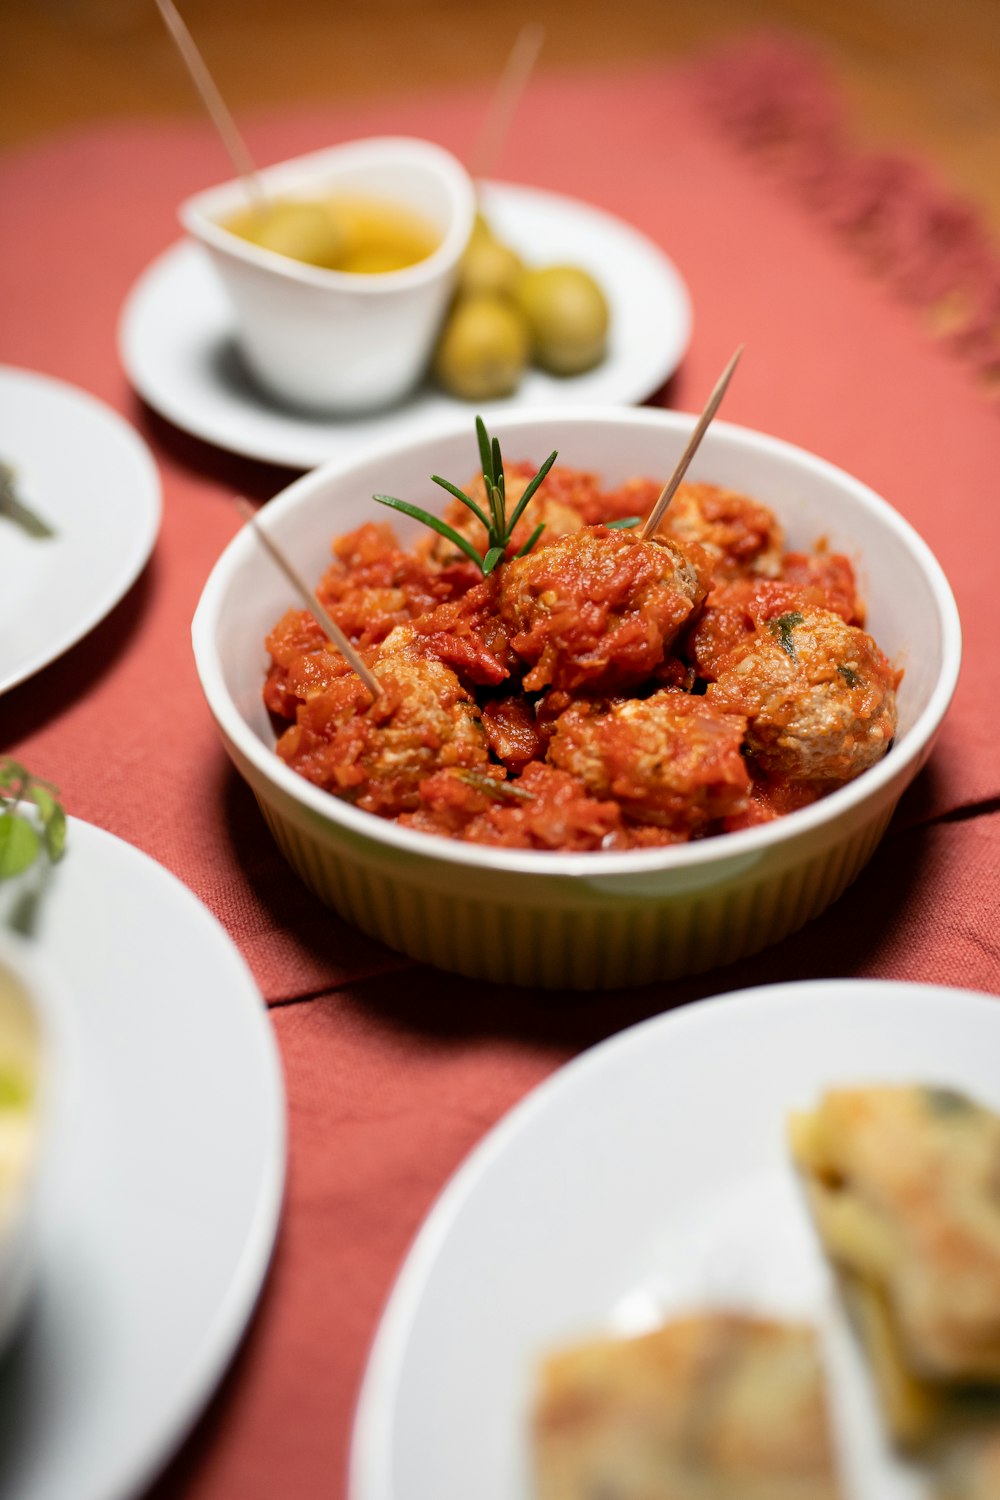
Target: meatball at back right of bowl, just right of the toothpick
740	535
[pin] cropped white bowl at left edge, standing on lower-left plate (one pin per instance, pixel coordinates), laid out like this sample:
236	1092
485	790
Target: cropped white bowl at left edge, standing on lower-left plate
34	1018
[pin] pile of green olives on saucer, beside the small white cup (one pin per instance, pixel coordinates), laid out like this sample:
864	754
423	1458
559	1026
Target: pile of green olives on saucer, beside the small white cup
507	316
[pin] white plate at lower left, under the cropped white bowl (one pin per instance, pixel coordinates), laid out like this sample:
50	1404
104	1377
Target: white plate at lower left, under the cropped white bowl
164	1196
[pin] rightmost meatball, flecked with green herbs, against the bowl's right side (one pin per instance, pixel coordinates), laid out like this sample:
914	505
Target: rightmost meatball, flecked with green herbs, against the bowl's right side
818	694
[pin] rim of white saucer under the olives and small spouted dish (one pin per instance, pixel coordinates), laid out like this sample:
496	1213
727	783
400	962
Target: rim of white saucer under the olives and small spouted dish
301	442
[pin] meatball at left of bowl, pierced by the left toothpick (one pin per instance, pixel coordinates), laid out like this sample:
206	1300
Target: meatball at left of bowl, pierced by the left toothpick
377	754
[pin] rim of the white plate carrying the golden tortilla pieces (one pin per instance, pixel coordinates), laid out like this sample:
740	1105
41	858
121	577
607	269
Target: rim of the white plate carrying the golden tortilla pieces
370	1465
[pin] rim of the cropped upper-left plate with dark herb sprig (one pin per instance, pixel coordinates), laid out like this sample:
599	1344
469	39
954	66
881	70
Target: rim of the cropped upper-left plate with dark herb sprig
124	445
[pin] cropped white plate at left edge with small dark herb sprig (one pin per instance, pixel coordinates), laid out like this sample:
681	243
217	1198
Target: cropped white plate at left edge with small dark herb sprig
86	472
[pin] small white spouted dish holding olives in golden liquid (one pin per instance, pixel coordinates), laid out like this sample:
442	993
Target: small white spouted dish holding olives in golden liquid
338	341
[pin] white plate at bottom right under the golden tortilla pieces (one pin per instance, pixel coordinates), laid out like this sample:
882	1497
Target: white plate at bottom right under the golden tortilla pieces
648	1177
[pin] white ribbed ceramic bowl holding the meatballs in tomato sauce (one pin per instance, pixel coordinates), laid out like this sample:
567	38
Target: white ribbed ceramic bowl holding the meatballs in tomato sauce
581	920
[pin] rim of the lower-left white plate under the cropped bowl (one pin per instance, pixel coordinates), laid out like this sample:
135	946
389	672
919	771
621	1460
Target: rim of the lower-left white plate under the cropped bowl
248	1267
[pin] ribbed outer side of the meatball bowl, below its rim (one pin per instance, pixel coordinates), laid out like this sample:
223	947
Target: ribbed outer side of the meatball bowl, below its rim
572	935
